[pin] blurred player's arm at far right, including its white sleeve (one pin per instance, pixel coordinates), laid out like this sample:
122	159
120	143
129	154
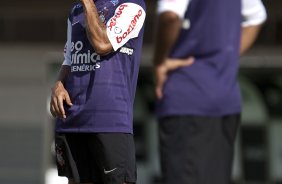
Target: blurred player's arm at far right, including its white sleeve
254	15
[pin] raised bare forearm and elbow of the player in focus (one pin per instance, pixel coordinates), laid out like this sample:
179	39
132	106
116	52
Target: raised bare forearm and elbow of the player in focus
96	30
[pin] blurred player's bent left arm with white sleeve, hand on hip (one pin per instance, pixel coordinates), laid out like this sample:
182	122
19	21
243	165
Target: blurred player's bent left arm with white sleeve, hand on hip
170	15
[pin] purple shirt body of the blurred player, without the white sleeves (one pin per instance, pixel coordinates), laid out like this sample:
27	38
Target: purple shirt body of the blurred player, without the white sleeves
209	86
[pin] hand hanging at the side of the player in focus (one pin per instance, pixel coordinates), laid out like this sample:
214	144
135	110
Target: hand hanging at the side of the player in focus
59	95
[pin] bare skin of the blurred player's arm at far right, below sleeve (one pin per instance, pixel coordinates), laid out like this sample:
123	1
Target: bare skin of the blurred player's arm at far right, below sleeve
248	37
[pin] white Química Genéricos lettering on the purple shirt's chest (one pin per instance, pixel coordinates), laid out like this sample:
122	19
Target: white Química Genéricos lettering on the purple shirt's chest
83	60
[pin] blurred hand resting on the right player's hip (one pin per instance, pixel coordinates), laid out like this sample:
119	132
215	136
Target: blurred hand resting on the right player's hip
162	71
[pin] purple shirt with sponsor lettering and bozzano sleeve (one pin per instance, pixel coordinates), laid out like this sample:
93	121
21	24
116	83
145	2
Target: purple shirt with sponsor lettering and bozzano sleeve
102	88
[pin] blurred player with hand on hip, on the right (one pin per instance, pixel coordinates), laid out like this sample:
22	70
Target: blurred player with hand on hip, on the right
196	60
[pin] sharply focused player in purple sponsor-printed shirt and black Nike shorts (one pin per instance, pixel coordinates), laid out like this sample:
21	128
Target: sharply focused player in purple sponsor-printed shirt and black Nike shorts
93	96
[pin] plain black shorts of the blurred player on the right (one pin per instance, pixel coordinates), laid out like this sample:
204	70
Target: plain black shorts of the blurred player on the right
197	149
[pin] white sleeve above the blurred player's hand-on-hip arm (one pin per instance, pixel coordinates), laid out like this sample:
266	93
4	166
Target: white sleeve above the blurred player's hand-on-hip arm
177	6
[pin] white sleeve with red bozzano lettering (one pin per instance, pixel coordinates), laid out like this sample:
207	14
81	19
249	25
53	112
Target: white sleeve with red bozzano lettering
126	24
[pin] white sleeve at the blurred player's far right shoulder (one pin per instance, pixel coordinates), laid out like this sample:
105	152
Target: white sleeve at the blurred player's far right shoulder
253	12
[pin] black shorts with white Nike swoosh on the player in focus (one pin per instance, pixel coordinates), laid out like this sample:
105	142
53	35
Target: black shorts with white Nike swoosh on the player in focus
103	158
